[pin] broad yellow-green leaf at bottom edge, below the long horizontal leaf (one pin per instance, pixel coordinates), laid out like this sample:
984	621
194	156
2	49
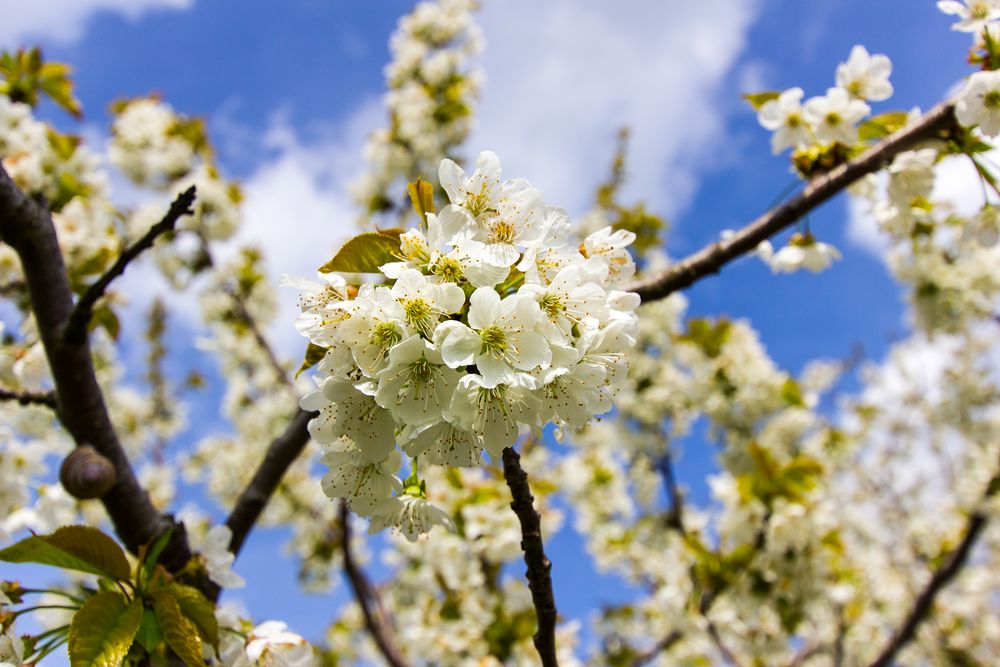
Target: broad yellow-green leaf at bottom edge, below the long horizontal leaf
103	630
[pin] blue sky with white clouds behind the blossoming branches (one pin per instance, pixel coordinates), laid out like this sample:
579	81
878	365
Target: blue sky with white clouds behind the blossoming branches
290	90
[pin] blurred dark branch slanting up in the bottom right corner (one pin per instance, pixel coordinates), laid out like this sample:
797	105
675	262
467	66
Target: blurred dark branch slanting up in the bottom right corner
953	564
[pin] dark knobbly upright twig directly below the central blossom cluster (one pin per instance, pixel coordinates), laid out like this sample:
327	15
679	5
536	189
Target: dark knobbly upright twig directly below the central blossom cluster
539	566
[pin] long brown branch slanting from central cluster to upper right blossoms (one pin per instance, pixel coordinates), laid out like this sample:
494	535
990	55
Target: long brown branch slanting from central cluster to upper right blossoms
936	123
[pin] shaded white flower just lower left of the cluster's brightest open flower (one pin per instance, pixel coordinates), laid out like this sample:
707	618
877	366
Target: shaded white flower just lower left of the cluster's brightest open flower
415	386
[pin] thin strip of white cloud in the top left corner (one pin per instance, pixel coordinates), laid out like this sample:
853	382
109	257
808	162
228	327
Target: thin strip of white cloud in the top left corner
66	20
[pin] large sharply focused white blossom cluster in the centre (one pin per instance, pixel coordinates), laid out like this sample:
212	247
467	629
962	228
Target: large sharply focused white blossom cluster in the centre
490	322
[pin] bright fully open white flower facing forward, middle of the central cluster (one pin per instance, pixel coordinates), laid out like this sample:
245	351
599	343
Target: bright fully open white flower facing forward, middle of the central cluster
499	339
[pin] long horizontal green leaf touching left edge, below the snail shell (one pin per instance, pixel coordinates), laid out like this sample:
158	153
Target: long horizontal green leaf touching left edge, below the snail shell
80	548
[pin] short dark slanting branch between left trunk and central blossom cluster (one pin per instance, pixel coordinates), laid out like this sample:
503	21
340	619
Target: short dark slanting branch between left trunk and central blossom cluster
279	457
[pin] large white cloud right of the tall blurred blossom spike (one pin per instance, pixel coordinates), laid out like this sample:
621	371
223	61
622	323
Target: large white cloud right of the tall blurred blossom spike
562	76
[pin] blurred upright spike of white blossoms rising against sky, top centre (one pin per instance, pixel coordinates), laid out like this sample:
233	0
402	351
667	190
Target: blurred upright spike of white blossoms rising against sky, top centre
432	89
